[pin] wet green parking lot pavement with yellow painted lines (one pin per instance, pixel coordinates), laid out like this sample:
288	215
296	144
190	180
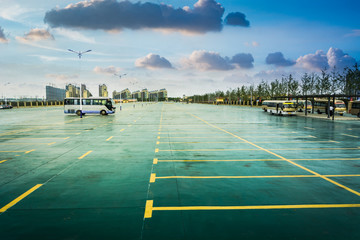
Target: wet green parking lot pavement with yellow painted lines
177	171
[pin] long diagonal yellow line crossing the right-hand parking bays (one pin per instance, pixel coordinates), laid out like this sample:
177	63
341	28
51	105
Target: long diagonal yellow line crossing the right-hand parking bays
281	157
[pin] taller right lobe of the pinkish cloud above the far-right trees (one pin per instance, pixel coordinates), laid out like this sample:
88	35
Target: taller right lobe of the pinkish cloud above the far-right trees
338	59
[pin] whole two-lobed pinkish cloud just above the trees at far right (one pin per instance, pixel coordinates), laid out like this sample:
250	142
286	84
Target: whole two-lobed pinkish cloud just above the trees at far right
333	58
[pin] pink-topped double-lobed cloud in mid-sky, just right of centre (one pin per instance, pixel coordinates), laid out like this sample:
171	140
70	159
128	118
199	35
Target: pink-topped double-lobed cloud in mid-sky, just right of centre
207	61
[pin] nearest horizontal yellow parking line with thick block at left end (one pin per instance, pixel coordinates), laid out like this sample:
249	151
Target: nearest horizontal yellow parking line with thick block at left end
149	208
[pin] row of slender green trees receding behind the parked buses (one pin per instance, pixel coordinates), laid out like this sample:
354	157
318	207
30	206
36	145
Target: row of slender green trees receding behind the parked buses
345	82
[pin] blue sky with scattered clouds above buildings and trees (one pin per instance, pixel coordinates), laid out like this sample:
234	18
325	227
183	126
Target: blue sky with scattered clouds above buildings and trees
188	47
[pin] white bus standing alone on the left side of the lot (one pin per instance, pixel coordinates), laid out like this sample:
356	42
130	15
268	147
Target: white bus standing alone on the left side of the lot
101	105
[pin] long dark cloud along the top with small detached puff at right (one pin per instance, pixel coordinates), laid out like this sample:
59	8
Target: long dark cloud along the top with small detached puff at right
109	15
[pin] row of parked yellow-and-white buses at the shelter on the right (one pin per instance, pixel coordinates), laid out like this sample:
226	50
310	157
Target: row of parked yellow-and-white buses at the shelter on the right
281	107
